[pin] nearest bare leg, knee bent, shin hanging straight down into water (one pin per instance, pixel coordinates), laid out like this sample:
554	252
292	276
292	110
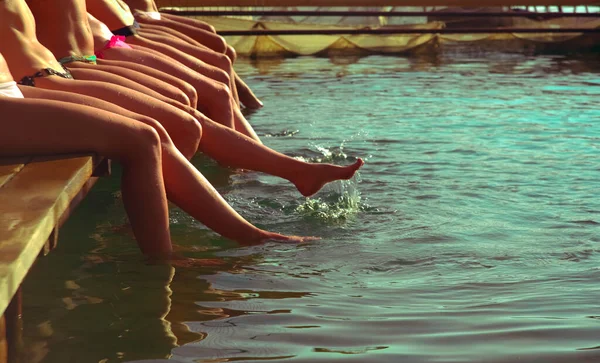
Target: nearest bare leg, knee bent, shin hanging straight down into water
68	128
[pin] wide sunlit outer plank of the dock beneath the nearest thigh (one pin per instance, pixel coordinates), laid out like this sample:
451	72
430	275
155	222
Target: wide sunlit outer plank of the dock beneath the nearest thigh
31	205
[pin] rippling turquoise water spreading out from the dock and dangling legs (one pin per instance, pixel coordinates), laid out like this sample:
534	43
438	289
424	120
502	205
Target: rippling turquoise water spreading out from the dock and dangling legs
470	235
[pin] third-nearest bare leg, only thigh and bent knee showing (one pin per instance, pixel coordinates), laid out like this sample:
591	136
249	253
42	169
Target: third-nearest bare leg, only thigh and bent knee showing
185	131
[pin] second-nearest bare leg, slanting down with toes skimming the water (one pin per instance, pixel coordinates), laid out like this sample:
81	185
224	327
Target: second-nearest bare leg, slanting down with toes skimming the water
185	185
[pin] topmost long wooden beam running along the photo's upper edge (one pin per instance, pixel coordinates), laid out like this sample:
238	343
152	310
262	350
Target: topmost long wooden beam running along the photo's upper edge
471	3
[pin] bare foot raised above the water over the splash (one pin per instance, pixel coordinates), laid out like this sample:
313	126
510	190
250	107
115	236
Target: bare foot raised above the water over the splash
310	183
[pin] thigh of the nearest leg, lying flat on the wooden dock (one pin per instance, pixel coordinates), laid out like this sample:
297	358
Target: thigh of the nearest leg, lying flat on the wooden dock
32	126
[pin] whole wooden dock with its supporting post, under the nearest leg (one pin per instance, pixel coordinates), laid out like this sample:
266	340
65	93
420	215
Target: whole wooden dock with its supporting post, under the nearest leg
37	194
